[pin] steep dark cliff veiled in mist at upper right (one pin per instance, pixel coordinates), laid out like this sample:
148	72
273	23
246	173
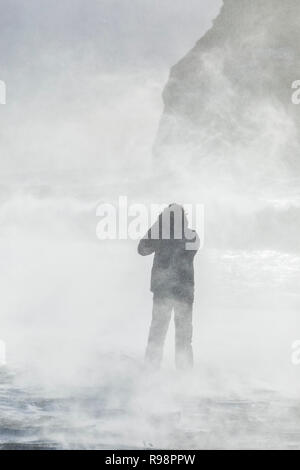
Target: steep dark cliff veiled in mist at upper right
230	97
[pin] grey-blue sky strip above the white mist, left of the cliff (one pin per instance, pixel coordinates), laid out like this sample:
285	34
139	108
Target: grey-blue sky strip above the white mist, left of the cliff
123	31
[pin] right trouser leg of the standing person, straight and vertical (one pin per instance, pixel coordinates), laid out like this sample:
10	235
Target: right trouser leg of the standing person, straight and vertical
183	334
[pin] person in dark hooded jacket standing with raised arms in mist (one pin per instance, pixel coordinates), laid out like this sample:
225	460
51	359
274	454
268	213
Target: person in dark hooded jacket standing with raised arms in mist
172	282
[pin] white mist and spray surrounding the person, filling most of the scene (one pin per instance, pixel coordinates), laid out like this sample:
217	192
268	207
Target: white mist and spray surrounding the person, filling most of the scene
84	103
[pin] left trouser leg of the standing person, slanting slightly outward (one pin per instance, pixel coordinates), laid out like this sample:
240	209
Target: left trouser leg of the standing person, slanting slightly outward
161	315
